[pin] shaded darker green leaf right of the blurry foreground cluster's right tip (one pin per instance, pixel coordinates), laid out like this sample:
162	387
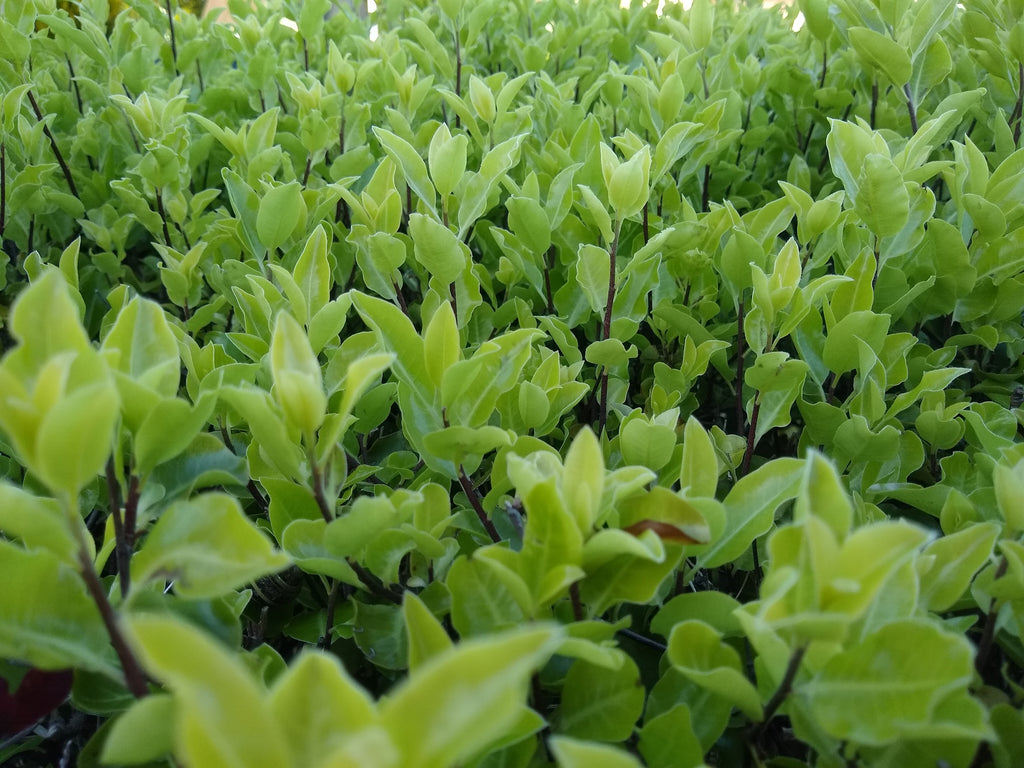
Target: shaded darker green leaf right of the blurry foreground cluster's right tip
600	704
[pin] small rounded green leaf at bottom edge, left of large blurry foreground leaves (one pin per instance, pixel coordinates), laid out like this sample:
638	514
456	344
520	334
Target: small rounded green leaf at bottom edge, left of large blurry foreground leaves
144	735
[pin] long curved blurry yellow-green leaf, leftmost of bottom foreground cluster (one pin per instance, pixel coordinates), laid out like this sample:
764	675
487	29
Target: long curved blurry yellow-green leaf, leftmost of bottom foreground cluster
224	718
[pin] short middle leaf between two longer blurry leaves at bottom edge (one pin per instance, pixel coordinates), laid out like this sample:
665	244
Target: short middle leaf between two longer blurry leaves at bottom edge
319	708
